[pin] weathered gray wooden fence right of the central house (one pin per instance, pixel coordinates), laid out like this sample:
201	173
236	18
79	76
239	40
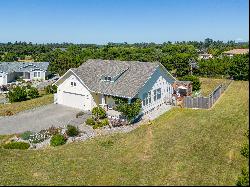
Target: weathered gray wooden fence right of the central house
205	102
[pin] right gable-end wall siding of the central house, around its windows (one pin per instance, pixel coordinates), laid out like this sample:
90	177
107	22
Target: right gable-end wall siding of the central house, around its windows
158	80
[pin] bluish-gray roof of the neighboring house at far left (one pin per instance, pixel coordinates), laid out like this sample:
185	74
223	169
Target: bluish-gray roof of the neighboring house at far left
9	67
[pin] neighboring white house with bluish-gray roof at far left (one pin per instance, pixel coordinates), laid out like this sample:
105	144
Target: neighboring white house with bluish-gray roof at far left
10	71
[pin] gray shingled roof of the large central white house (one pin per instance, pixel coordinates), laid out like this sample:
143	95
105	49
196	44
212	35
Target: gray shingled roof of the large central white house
132	76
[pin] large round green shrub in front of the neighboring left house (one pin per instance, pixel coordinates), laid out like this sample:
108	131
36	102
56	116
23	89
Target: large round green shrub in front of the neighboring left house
17	94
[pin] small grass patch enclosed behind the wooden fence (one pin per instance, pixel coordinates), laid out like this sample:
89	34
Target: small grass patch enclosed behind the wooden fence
208	85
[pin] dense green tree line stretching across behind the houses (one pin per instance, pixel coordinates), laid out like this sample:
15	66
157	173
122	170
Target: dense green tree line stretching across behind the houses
175	56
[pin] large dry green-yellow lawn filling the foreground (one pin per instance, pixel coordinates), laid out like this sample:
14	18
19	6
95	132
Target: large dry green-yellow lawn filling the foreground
181	147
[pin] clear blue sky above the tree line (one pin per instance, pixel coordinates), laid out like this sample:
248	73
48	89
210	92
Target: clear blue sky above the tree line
131	21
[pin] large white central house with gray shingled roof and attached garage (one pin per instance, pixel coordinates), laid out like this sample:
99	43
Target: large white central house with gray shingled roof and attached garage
97	82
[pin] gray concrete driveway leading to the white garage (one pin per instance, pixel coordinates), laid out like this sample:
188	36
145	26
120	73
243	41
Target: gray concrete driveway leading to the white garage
40	118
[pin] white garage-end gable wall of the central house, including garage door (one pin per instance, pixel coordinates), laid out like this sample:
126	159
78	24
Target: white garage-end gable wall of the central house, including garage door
77	96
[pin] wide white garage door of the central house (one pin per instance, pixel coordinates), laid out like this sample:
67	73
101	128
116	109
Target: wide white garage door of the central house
75	100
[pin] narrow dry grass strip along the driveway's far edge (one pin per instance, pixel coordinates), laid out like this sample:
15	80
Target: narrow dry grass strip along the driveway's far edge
26	105
